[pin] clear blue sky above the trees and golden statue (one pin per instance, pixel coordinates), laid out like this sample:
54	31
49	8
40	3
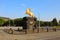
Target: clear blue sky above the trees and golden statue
48	9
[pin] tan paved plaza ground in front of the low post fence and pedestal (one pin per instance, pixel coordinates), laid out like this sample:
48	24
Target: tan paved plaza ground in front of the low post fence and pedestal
33	36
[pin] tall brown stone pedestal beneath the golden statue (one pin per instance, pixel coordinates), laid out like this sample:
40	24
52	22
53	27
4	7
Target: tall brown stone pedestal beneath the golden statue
29	24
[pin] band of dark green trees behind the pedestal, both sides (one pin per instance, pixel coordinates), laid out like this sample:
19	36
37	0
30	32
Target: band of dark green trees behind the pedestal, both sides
19	22
